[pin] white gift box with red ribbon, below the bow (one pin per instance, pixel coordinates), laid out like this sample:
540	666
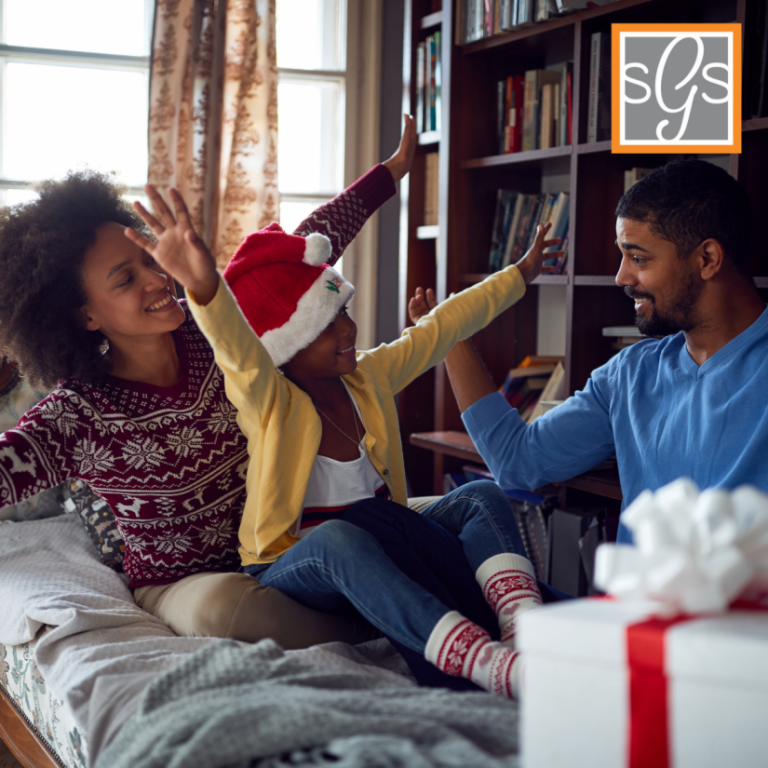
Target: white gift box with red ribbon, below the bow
605	684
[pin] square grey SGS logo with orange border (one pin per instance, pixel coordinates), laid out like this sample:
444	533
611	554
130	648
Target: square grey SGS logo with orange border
676	88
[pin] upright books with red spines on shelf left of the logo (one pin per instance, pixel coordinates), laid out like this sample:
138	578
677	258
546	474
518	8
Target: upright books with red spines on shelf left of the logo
534	111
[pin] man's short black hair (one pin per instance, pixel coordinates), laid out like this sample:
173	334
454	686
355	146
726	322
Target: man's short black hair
689	201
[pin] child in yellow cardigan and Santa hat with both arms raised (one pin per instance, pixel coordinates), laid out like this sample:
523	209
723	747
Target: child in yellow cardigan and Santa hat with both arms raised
322	432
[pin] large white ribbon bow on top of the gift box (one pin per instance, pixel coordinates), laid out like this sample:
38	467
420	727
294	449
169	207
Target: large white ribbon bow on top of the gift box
693	553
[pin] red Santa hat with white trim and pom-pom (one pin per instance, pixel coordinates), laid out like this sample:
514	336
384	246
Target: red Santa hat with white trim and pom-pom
285	288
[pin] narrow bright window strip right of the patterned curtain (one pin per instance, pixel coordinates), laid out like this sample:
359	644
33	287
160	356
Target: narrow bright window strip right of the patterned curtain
311	61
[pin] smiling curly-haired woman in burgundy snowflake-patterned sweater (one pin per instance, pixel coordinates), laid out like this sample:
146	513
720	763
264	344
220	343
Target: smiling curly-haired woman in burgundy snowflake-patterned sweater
139	410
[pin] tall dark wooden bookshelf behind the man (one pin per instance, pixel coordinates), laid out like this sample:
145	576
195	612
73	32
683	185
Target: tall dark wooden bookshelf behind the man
471	172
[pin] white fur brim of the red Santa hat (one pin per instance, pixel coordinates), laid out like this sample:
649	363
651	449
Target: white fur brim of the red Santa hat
314	311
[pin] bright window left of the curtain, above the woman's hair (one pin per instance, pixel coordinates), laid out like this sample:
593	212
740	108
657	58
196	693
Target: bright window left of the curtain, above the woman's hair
74	85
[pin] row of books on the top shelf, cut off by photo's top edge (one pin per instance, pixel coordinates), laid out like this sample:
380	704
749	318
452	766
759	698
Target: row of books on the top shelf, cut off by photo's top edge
483	18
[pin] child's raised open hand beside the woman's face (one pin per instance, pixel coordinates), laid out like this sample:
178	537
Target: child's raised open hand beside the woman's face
179	250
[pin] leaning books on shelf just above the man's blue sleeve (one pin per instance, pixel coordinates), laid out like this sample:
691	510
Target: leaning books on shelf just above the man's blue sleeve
539	379
